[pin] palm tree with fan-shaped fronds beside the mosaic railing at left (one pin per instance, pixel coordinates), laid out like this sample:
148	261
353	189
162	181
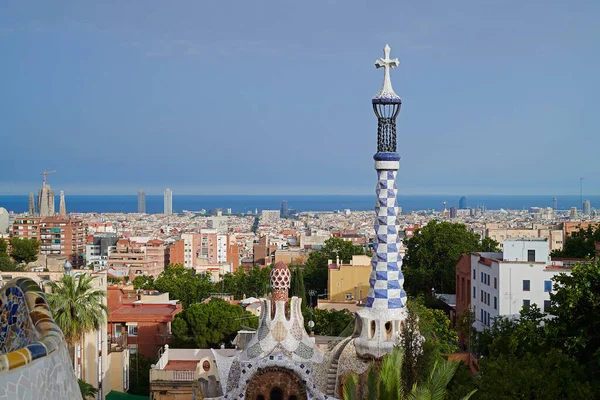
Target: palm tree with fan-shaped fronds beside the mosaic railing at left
77	307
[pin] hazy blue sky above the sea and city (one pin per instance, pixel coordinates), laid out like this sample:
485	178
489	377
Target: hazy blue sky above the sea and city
274	97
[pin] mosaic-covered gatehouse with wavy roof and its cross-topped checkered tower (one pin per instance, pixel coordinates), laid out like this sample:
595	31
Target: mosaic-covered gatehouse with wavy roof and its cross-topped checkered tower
282	361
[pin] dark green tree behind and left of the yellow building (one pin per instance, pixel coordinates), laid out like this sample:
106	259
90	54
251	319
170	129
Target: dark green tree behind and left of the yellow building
316	268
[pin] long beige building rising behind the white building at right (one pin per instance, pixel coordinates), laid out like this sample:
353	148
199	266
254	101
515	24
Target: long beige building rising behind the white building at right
500	233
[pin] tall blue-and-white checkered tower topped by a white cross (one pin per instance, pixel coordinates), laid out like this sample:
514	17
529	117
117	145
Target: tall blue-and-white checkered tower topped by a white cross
379	322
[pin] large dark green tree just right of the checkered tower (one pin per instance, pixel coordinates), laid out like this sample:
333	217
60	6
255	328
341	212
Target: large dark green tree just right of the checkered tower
432	253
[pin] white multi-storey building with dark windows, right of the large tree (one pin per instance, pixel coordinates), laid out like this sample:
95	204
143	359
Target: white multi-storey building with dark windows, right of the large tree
502	283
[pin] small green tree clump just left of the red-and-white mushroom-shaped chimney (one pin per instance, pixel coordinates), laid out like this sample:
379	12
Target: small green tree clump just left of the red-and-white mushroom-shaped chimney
255	283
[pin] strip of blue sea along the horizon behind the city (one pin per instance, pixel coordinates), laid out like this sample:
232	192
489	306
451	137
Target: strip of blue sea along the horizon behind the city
242	203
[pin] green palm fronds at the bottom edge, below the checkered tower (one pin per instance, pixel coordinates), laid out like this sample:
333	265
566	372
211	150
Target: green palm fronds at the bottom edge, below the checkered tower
388	385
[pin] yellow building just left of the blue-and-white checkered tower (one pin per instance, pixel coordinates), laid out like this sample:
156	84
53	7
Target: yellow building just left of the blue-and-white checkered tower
349	282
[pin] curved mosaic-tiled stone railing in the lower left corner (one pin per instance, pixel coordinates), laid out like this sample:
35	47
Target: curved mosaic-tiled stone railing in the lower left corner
34	360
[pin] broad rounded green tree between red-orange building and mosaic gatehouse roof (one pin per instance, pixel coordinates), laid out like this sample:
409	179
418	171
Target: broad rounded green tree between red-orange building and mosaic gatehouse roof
208	325
